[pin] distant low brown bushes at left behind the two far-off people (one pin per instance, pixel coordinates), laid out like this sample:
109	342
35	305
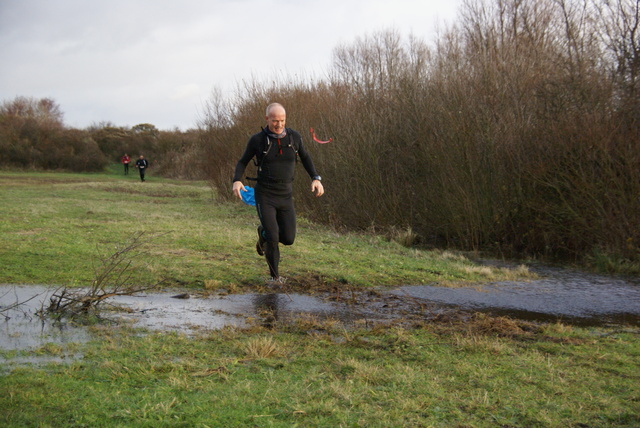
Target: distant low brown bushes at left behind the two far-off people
33	135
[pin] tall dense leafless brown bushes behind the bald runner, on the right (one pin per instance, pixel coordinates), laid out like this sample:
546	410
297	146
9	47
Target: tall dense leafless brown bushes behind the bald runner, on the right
517	131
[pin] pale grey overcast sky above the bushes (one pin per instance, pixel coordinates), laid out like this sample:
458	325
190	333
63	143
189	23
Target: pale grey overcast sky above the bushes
157	61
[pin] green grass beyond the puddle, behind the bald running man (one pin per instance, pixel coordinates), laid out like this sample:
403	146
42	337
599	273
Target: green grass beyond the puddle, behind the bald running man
55	228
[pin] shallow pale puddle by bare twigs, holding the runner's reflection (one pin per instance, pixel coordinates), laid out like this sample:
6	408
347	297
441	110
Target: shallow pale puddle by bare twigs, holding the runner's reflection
21	328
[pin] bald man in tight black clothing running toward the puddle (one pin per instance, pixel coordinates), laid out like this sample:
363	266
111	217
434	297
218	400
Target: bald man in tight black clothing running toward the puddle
275	149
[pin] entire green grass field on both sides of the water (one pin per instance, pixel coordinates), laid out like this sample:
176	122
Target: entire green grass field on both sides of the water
476	372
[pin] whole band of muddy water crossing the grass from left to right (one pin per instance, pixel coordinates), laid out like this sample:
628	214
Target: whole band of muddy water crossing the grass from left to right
560	295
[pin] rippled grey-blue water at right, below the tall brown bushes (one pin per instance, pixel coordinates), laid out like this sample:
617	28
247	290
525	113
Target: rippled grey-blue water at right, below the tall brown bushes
559	295
